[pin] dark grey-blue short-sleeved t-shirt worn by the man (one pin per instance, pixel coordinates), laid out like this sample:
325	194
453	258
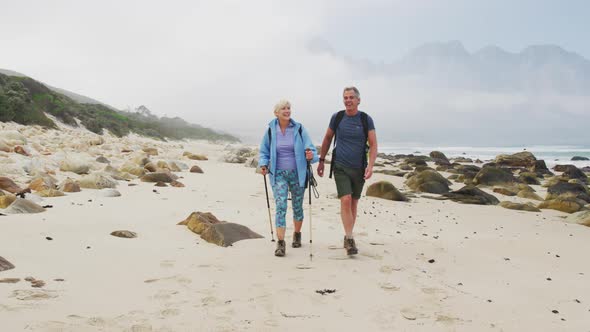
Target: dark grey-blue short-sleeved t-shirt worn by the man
350	139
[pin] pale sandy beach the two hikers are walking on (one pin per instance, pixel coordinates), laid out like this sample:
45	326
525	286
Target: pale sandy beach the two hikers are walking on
423	265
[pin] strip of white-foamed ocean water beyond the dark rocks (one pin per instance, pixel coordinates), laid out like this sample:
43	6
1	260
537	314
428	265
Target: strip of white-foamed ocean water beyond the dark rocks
552	154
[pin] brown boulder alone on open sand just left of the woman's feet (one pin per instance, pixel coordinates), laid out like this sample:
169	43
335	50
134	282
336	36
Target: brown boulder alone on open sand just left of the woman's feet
216	231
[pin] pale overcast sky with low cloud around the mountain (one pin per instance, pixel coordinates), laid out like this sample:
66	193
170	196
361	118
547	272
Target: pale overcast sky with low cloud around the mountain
224	64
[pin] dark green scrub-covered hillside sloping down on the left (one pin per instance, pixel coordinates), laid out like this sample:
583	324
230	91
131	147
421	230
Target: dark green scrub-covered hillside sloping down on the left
26	101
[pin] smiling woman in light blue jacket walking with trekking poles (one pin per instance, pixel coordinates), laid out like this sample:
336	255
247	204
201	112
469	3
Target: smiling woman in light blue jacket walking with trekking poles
285	149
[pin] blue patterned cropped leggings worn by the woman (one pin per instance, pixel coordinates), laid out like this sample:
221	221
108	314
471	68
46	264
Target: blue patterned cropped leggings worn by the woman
285	181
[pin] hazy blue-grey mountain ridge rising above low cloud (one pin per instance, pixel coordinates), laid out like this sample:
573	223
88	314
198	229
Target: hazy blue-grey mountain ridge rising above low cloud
536	69
